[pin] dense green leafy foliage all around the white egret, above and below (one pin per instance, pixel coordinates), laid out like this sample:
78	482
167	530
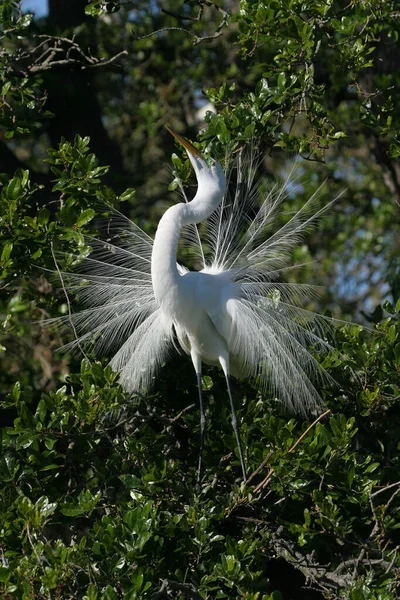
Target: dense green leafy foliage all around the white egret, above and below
97	495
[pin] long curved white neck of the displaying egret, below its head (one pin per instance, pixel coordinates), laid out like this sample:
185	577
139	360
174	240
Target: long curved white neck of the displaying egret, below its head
164	272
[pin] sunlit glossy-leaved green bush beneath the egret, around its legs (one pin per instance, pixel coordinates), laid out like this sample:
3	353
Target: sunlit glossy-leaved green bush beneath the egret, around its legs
97	495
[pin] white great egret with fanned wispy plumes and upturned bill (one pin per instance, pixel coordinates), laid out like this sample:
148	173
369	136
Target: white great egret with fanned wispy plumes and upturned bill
235	312
